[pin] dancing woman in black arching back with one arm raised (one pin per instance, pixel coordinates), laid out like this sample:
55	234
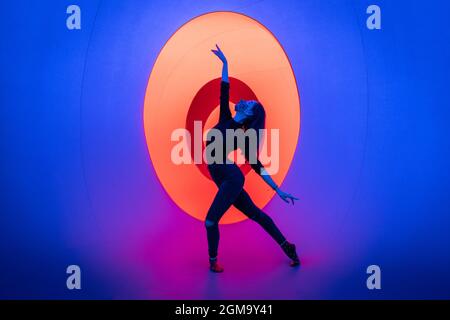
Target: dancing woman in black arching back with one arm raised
229	178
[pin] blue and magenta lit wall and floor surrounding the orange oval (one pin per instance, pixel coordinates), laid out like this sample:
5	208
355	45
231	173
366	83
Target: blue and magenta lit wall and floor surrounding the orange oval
371	167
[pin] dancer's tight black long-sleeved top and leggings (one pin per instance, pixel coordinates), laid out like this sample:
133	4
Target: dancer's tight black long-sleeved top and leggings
230	181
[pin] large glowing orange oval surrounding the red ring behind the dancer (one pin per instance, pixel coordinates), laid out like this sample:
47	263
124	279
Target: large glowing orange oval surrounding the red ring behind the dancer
184	65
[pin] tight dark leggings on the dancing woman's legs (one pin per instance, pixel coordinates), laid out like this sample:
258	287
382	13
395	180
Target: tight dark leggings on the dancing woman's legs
230	181
